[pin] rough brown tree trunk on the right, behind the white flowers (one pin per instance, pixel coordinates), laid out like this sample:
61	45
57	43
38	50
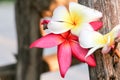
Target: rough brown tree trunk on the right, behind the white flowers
108	65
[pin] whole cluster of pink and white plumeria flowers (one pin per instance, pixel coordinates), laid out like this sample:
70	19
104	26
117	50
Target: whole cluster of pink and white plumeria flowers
73	31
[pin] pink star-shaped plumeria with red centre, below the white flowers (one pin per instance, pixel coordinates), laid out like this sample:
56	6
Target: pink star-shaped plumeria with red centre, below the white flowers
68	45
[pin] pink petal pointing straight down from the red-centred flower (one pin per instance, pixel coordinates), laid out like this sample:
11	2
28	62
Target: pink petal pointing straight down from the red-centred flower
64	57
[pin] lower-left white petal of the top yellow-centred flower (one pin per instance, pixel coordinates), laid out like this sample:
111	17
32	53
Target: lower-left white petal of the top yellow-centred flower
59	27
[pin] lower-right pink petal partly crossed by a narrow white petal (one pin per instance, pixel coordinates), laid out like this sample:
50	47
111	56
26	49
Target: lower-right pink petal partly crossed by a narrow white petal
80	53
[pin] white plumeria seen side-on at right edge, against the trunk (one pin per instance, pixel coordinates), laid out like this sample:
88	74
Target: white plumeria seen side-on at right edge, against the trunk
95	40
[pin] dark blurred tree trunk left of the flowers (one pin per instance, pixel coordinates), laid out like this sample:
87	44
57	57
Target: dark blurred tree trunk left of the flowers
30	64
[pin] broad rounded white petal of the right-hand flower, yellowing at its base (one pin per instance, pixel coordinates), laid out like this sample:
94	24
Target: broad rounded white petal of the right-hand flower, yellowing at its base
90	39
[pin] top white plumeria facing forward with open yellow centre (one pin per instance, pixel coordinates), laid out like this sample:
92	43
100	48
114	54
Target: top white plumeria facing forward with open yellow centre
73	18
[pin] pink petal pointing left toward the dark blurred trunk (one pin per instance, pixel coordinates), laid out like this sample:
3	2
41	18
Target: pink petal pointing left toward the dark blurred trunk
48	41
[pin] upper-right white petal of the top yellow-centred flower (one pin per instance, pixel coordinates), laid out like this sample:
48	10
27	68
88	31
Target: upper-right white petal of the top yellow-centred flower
87	13
